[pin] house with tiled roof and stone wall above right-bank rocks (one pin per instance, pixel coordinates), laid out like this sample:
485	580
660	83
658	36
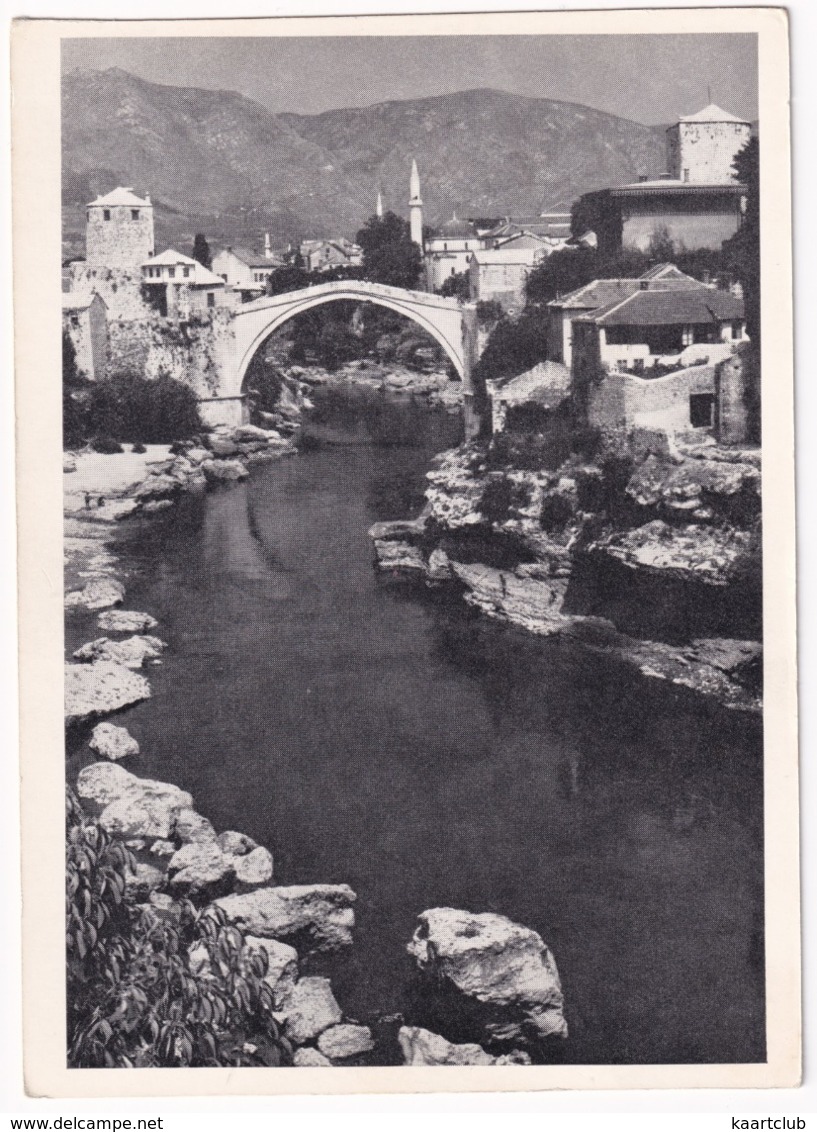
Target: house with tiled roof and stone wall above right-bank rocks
651	359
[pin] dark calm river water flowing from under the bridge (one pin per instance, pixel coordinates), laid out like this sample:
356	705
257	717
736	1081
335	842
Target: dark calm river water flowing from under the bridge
390	739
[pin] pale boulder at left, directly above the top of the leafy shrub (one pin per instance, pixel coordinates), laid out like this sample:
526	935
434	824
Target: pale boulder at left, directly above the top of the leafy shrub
132	808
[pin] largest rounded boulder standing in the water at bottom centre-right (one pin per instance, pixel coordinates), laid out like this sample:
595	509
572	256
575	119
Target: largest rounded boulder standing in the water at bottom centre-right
503	972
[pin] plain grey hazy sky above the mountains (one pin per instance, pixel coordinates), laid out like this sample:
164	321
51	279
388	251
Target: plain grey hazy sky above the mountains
650	79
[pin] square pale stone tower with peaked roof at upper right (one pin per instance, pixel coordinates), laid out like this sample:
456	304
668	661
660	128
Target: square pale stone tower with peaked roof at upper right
702	148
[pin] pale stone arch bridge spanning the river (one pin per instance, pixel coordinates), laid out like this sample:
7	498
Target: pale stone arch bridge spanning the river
452	324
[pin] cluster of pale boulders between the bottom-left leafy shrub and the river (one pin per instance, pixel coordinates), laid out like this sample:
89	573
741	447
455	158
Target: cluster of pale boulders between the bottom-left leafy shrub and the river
178	854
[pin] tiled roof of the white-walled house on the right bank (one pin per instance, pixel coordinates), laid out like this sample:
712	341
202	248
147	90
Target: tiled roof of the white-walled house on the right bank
669	308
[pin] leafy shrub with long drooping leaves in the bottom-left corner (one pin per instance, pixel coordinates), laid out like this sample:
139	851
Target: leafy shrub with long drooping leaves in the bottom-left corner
134	1000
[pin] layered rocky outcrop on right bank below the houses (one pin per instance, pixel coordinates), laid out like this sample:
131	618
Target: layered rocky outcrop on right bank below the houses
687	517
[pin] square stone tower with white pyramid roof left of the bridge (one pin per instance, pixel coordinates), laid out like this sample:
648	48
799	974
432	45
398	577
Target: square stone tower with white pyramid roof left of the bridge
119	231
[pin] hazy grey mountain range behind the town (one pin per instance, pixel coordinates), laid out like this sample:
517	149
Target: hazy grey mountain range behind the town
218	162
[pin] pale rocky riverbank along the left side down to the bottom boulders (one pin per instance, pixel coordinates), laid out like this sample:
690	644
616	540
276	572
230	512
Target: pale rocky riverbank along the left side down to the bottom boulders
497	980
